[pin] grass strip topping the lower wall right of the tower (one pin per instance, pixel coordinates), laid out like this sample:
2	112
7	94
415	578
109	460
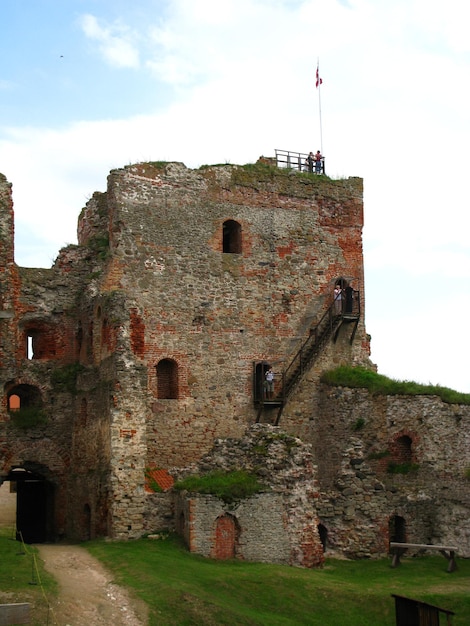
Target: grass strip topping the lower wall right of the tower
346	376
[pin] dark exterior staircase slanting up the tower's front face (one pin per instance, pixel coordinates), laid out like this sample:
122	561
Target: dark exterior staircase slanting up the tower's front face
327	328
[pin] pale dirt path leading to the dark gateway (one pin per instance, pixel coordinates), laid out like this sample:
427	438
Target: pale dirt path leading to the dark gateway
87	595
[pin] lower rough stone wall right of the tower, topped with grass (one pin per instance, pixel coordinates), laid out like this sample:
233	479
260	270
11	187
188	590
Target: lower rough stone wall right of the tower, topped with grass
361	484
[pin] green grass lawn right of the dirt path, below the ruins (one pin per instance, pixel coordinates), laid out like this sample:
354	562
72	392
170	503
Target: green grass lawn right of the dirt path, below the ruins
185	589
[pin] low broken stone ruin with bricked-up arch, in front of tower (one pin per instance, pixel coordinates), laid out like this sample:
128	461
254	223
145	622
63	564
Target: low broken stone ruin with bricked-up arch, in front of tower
279	525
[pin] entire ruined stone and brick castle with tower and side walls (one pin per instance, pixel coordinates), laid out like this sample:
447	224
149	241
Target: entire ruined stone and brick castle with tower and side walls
140	357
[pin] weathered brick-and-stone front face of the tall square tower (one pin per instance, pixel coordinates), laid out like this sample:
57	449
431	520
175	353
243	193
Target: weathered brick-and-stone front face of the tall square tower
213	313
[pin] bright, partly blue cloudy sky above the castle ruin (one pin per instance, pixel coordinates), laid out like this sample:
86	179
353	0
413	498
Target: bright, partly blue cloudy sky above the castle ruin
91	85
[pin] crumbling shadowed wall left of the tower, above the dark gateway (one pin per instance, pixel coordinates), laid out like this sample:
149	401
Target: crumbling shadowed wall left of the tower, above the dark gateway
66	441
